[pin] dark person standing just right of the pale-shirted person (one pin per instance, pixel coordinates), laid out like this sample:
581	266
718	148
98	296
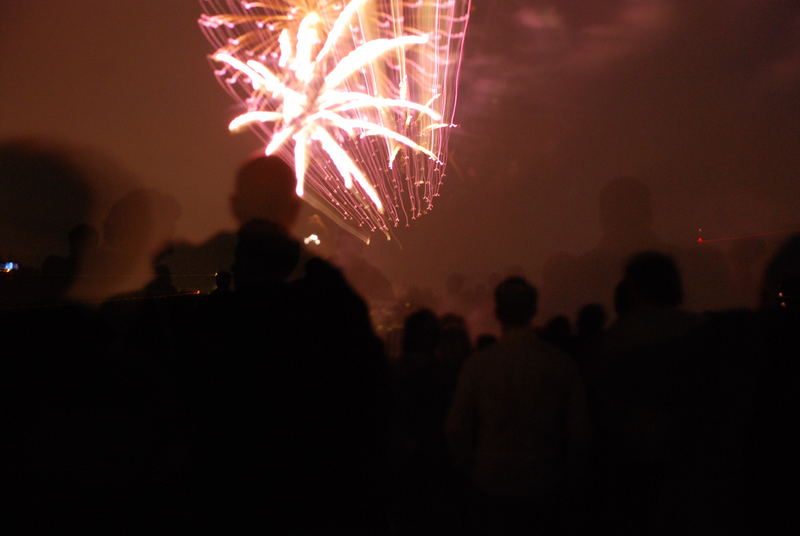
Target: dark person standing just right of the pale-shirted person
642	387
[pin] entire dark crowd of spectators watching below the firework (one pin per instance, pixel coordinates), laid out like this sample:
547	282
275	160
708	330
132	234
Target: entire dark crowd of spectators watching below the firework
265	396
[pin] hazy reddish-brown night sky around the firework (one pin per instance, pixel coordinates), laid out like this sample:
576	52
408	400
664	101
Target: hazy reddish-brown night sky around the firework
697	99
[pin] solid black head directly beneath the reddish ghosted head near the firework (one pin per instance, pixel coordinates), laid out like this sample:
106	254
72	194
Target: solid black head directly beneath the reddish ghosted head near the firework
265	255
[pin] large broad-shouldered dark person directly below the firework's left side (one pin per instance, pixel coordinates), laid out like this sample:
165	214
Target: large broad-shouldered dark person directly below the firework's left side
289	405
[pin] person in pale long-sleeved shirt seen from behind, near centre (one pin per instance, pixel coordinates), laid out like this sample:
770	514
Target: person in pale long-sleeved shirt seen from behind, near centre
518	425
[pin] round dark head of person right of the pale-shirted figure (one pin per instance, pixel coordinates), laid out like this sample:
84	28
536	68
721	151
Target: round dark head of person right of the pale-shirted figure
653	279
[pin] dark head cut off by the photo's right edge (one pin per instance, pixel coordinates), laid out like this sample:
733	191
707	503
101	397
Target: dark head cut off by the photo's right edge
782	277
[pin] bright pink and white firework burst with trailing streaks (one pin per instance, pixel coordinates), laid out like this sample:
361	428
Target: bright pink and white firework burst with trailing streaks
359	95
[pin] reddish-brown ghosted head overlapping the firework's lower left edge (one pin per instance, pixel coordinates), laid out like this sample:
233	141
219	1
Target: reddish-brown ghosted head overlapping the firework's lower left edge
265	190
